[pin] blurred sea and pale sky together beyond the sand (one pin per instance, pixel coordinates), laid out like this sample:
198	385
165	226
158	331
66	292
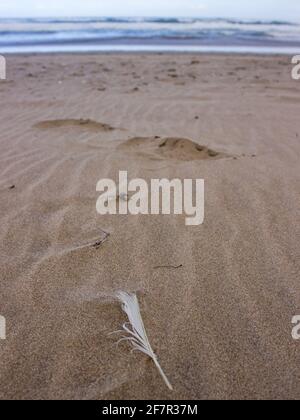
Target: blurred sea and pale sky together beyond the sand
160	25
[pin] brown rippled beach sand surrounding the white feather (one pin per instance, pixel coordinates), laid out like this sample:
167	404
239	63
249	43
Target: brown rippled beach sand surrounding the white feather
221	323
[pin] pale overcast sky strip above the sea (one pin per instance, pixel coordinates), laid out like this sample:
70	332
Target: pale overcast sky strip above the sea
256	9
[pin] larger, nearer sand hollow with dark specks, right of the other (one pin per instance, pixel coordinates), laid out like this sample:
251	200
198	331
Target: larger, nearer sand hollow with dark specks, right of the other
170	148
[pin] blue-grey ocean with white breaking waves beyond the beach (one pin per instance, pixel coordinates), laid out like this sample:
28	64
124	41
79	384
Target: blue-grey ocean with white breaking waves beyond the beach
147	34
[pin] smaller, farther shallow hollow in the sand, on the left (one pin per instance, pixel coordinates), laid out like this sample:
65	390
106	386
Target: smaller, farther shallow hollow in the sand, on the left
74	123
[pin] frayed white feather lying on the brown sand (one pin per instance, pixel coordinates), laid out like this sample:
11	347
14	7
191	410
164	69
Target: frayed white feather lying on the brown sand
135	330
